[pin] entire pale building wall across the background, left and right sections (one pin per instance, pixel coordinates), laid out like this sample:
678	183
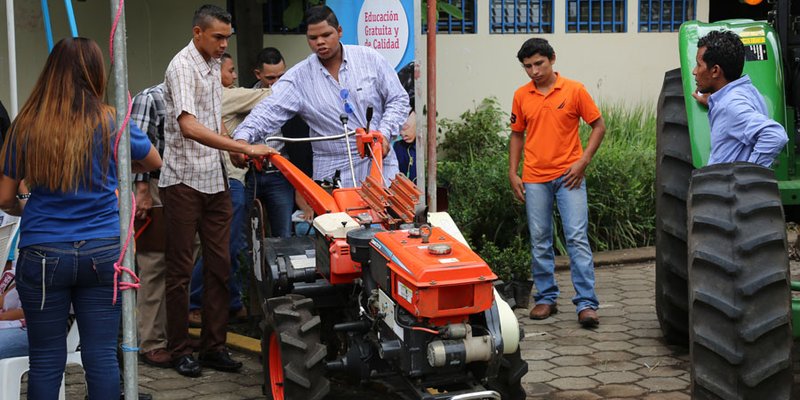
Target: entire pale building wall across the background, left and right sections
625	67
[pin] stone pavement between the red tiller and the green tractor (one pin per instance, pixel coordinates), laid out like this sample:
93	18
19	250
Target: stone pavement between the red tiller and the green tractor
624	357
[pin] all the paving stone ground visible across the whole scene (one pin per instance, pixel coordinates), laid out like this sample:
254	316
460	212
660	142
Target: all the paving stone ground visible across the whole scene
624	358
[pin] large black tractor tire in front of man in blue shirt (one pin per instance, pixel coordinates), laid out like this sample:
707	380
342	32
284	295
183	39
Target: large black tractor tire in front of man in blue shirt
739	293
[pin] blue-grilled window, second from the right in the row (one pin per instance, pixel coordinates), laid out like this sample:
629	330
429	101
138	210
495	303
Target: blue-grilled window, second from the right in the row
596	16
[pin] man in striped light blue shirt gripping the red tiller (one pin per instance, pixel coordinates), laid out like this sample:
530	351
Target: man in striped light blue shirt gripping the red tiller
337	79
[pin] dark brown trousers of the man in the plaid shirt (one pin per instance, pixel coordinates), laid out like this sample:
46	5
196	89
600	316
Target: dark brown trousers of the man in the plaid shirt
187	212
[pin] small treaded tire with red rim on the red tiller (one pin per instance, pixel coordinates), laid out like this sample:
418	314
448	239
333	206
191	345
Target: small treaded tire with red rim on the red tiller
292	354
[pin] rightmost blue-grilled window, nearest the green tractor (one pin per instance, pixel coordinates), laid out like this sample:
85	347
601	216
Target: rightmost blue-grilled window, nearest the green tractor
665	15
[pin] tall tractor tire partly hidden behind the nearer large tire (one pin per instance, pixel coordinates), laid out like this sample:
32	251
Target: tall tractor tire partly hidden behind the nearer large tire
673	172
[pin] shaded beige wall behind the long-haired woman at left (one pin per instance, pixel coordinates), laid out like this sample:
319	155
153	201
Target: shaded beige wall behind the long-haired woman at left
156	30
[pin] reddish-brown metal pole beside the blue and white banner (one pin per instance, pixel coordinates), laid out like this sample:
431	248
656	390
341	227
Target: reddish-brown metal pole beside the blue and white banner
431	67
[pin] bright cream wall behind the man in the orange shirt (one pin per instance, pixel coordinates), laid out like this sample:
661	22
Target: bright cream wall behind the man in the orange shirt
615	67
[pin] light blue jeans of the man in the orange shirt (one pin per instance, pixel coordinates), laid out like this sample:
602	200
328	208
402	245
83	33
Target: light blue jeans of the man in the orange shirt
572	206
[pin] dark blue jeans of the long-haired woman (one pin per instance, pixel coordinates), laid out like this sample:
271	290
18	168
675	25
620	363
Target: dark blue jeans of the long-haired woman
50	278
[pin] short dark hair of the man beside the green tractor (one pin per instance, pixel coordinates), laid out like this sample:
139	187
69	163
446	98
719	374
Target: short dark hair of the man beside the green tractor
724	48
